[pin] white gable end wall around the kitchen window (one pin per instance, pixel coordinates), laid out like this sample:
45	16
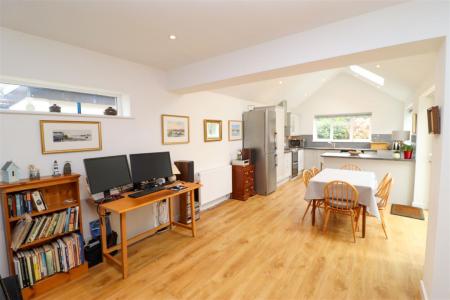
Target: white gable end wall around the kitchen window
347	94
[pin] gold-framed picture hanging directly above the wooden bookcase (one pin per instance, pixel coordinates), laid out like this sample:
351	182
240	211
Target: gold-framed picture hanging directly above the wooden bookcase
70	136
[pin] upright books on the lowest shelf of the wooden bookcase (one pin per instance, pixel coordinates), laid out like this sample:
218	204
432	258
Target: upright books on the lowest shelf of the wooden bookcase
58	256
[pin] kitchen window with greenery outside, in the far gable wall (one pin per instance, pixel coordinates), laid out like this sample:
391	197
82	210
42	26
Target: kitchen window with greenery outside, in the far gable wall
342	128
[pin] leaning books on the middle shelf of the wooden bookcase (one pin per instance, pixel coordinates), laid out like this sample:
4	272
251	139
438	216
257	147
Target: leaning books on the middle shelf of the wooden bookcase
30	229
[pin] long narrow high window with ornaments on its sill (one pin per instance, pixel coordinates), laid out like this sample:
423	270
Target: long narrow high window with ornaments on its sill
38	99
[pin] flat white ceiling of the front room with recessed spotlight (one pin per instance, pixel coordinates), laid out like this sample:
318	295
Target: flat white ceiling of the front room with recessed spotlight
138	30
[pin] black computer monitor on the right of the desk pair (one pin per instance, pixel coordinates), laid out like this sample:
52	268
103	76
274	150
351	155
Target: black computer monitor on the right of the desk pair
150	166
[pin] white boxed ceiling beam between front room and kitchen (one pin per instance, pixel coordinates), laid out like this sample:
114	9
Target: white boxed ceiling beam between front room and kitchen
406	29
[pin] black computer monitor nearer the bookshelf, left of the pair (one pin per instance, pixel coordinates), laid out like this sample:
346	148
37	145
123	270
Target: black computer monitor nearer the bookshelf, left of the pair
105	173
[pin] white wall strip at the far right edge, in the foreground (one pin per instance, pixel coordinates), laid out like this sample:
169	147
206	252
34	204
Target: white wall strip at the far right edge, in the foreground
437	261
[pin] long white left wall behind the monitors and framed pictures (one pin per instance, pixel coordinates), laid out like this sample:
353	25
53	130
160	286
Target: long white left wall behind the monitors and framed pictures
35	58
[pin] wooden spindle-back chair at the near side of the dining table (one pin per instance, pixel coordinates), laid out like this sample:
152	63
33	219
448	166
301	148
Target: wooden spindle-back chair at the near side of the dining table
341	198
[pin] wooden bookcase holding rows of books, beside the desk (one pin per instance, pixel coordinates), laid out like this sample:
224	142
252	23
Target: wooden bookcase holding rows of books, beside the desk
59	193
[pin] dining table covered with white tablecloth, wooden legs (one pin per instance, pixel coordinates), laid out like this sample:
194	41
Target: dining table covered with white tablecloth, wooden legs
365	182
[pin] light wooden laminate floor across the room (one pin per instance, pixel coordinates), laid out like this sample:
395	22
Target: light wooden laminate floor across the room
259	249
